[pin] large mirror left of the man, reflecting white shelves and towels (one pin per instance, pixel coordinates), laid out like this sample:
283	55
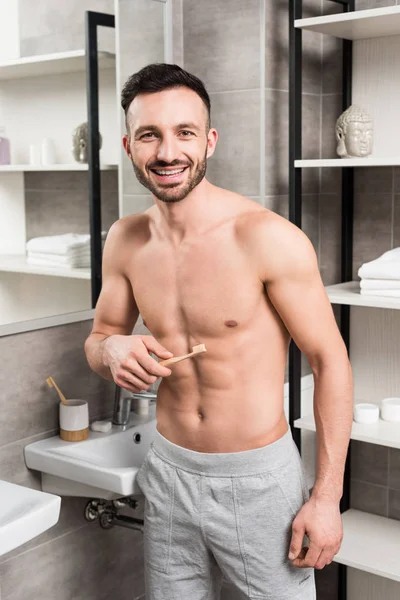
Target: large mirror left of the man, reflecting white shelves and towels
44	185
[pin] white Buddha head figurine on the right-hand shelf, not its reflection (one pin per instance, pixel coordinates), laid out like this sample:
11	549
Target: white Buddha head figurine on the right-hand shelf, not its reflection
354	133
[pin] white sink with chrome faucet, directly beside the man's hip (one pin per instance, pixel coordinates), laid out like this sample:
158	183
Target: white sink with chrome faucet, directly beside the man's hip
103	466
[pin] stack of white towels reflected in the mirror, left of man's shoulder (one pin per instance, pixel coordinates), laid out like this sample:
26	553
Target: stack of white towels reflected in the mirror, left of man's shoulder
70	250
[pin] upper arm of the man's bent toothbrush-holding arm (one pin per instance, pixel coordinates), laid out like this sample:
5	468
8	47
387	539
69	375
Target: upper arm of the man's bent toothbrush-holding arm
116	310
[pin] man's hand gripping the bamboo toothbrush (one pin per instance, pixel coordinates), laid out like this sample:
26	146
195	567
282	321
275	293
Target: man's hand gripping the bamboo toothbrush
128	358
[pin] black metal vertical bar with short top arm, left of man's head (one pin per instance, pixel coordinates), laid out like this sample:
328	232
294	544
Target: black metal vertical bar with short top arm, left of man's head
92	21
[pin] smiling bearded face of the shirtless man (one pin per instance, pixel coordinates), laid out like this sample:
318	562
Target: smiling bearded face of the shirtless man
168	142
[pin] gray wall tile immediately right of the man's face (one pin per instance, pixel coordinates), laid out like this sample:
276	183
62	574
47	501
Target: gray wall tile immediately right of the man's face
235	162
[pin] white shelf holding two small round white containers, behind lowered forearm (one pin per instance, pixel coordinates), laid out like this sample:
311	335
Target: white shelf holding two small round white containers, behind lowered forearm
382	433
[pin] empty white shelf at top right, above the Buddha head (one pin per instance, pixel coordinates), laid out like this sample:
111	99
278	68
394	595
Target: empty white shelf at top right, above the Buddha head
356	25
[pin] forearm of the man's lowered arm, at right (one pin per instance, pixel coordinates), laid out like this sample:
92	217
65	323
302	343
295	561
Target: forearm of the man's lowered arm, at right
333	412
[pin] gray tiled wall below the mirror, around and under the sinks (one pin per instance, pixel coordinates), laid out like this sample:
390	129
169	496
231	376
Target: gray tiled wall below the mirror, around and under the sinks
73	560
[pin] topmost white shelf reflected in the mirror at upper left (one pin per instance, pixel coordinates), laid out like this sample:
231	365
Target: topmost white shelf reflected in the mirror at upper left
50	64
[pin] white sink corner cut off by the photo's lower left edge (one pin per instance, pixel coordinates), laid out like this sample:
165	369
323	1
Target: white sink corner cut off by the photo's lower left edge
24	514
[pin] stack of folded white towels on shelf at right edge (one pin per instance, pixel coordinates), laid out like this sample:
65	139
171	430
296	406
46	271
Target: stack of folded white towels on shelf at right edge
381	277
